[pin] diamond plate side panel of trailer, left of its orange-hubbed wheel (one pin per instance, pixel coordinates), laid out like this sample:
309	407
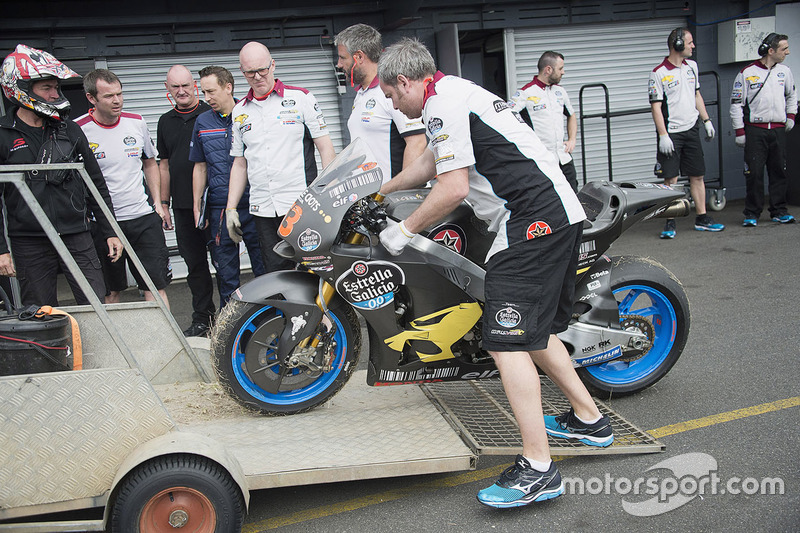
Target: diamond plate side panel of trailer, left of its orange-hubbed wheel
64	434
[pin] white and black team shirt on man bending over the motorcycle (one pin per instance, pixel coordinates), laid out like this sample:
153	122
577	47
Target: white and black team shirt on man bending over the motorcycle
515	184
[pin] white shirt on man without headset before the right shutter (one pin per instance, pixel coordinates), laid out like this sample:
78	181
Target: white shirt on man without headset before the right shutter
547	106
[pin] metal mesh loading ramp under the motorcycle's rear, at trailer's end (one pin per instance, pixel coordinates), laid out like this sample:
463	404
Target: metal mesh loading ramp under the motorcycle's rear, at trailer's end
480	412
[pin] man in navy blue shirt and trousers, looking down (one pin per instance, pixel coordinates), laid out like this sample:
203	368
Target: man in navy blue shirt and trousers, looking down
210	151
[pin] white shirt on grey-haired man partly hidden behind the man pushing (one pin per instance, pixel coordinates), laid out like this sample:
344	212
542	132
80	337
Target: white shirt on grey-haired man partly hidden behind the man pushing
375	120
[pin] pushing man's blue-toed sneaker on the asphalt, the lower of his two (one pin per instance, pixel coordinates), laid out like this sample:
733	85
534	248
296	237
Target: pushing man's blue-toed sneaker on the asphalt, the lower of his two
520	485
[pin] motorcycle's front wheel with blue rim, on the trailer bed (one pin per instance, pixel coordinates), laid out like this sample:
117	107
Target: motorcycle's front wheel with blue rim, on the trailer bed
244	348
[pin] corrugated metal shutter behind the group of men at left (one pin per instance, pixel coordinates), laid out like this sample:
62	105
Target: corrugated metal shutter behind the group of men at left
143	88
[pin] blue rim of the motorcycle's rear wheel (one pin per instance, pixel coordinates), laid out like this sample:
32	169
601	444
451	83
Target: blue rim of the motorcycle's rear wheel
650	303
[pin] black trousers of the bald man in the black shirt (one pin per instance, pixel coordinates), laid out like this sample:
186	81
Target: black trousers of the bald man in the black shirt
193	247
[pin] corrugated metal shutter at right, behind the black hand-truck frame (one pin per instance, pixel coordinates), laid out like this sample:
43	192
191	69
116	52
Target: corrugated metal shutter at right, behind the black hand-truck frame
619	54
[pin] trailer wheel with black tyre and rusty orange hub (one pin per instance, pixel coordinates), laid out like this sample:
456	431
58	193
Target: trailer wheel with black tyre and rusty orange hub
178	491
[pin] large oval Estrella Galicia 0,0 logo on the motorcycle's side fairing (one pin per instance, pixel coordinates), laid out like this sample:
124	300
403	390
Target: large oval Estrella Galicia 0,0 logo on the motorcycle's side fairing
370	285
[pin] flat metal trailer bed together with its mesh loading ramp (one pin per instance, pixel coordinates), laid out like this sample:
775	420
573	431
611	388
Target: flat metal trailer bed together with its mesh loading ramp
374	432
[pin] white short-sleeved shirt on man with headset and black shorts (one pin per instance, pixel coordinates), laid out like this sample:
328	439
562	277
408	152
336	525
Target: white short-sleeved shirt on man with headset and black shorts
675	88
